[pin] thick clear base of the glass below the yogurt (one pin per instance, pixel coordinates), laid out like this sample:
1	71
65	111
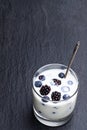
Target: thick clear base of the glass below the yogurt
51	123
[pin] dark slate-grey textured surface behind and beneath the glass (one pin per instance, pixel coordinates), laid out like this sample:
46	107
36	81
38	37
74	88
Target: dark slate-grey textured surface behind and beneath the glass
34	33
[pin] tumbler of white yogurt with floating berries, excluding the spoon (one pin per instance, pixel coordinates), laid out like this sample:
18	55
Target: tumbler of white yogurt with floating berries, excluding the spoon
54	96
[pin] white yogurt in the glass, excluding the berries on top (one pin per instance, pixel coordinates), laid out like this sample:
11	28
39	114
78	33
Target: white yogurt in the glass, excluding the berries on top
55	110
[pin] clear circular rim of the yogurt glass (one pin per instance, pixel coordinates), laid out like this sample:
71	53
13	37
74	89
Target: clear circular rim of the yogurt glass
55	64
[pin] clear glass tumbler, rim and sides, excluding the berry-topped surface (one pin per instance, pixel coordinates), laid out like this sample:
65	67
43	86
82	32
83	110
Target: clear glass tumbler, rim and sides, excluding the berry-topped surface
54	113
